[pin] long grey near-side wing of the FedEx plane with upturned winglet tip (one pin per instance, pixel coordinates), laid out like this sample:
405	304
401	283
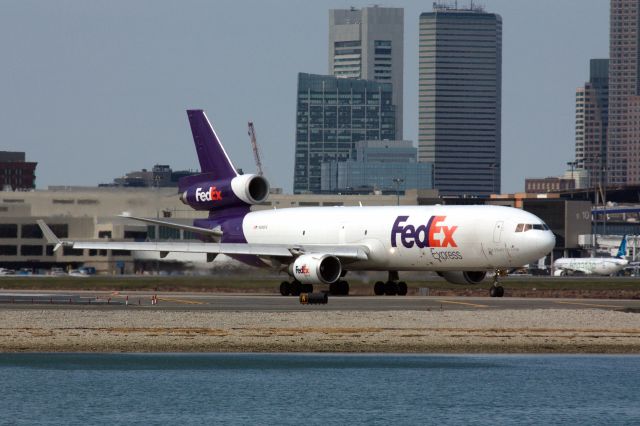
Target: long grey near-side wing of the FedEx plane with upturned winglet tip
355	252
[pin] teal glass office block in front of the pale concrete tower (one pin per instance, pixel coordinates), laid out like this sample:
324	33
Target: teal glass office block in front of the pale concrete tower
331	115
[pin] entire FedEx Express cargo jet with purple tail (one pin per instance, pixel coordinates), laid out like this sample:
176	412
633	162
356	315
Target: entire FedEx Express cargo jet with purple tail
319	245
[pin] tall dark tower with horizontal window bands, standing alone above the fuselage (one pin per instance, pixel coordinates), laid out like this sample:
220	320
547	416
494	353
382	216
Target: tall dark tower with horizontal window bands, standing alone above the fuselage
460	91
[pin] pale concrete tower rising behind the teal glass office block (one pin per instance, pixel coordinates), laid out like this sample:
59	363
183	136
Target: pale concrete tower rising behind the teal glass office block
368	44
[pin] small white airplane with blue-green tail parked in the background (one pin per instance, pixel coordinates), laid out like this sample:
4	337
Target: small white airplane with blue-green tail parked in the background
593	265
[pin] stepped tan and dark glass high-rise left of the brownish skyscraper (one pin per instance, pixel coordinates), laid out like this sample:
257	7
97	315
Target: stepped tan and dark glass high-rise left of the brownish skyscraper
592	115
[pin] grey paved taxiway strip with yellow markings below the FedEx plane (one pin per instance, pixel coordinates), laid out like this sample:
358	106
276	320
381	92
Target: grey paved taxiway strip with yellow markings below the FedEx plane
276	303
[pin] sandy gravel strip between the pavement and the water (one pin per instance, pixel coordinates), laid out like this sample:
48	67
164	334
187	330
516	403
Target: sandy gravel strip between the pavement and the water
504	331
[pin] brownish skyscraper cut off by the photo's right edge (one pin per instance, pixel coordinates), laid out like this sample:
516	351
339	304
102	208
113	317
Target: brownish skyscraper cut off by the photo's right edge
623	145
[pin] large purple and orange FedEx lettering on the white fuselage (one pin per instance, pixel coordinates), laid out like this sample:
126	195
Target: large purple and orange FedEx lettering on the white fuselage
433	234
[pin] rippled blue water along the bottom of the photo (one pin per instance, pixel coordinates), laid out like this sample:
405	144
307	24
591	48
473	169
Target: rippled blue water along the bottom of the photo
318	389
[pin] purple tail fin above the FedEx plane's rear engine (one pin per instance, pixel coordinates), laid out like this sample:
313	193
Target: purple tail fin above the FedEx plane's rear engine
214	161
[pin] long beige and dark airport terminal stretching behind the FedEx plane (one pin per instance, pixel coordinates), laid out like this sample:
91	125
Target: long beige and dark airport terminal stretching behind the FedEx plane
88	213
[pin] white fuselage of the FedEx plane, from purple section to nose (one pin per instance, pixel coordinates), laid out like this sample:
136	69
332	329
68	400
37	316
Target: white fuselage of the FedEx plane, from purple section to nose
435	238
